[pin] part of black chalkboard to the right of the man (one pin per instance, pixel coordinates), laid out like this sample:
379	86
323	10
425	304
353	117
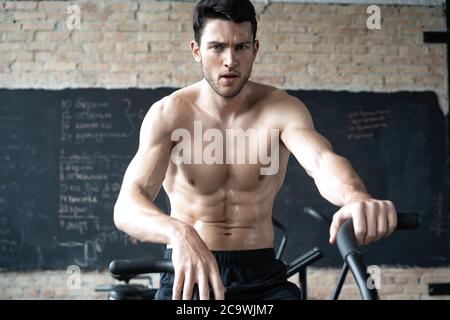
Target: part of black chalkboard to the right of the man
397	143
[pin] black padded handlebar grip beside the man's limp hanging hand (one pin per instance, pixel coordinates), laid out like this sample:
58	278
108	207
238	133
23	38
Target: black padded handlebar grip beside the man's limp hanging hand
119	268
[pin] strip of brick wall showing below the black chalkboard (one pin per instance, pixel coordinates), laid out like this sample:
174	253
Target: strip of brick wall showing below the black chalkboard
411	283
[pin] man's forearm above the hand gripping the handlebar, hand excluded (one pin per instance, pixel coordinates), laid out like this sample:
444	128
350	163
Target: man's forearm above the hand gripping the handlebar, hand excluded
338	182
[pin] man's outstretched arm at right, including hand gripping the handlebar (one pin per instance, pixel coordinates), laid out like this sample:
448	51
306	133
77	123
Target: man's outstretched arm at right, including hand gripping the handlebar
335	178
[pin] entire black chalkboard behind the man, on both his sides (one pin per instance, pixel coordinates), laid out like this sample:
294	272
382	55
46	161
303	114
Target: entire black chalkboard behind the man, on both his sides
63	155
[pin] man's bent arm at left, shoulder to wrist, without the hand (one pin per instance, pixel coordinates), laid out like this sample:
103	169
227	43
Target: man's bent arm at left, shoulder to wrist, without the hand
134	212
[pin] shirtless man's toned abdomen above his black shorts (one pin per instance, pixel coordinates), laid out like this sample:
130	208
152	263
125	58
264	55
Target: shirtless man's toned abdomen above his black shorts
227	220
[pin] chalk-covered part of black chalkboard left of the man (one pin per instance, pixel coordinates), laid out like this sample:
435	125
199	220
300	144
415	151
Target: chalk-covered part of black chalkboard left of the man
63	156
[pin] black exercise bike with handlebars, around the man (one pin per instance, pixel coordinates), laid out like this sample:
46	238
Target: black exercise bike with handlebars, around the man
126	270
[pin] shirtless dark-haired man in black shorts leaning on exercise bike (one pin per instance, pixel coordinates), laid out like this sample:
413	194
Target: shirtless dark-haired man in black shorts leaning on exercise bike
219	232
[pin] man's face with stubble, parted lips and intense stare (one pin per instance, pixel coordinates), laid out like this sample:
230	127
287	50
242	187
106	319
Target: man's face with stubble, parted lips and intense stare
226	53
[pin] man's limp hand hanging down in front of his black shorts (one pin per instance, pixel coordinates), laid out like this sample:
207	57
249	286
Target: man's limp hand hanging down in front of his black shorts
194	264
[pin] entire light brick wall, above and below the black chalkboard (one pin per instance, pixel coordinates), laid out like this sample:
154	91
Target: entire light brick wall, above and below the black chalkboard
146	44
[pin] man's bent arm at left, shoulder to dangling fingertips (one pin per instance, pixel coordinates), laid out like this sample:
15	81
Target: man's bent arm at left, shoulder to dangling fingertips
137	215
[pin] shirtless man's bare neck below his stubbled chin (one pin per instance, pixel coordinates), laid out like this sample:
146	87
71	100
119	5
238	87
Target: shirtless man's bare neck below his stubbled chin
224	109
